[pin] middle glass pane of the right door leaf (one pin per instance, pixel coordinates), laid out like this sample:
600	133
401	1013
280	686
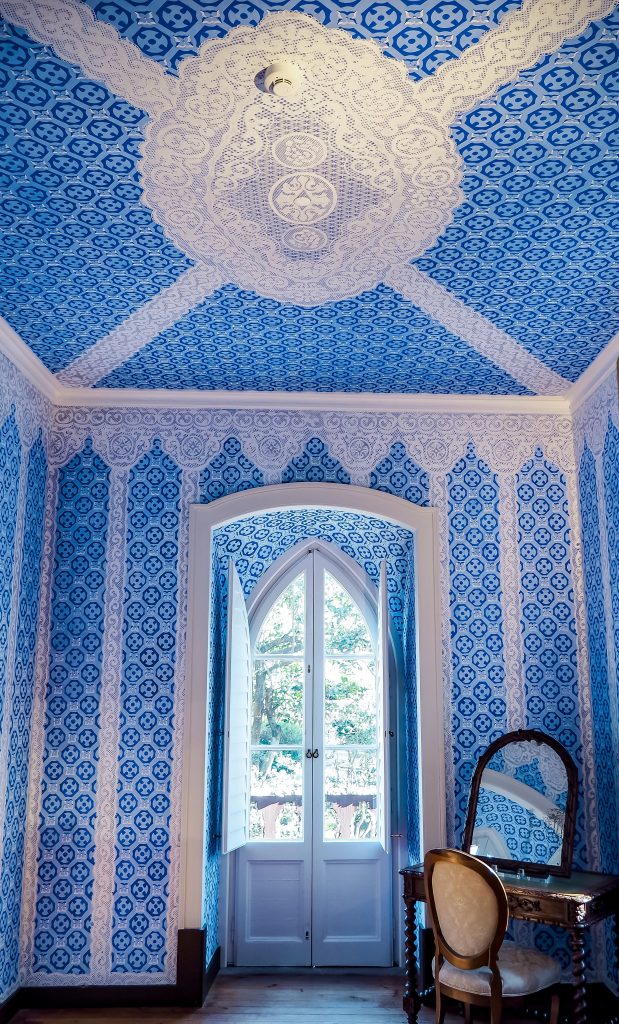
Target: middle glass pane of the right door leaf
350	702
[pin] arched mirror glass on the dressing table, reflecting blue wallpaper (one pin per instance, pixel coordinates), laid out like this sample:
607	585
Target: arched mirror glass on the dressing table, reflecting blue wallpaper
521	808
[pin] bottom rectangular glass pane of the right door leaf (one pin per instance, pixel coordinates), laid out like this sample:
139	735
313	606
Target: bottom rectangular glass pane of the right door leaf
351	795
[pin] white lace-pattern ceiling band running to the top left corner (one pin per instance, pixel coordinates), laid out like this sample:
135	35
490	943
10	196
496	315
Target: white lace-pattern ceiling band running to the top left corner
76	36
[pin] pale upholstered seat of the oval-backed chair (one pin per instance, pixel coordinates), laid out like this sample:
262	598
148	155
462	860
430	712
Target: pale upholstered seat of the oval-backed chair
524	972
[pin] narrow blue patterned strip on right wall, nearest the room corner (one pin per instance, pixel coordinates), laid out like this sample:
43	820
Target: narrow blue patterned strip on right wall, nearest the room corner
605	746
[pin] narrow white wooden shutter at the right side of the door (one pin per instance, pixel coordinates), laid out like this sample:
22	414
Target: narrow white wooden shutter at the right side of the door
383	688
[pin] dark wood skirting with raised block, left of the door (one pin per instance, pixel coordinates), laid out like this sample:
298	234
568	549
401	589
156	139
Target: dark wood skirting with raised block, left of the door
194	978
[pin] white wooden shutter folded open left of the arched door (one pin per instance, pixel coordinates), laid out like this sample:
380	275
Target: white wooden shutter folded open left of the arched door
237	723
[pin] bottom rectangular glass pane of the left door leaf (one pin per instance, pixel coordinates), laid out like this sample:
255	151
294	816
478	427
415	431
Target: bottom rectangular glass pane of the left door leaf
276	798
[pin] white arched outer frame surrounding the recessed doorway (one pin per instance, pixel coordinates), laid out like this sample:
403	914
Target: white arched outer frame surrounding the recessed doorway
424	523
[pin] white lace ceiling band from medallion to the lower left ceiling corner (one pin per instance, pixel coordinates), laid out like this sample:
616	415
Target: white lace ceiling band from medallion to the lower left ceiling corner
142	327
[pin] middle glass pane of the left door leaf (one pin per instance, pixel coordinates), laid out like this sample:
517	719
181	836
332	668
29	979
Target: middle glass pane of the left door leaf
277	715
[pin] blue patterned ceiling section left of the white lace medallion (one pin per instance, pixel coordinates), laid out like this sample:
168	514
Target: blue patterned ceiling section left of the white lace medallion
80	250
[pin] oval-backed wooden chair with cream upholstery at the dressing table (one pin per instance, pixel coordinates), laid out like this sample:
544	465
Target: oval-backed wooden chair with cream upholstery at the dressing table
469	910
